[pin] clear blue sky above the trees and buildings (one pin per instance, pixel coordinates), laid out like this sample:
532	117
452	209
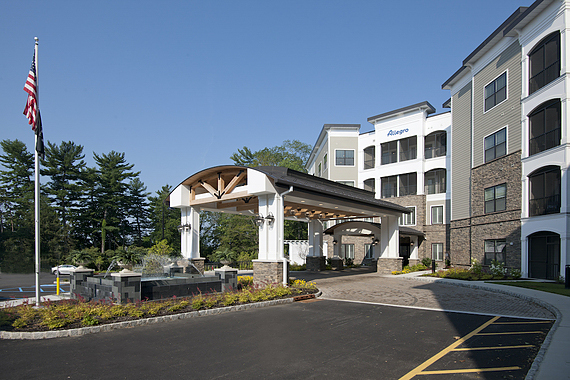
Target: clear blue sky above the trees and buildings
181	85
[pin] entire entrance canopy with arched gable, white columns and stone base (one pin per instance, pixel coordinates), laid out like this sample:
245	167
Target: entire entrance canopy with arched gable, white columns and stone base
274	194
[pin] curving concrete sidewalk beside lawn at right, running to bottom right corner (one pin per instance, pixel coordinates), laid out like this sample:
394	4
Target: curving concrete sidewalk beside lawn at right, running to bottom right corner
553	360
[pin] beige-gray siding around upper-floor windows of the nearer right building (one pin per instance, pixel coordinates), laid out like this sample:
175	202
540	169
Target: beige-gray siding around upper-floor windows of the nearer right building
506	114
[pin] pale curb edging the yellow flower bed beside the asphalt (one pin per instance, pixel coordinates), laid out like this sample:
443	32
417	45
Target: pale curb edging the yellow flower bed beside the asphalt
139	322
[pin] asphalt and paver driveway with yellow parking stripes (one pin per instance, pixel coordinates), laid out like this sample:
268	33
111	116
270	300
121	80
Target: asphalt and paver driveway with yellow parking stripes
349	333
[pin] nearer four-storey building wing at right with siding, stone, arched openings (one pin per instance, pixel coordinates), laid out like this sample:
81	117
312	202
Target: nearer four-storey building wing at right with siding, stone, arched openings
509	145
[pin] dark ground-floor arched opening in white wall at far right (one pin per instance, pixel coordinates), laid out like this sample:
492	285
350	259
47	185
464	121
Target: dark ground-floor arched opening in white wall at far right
544	255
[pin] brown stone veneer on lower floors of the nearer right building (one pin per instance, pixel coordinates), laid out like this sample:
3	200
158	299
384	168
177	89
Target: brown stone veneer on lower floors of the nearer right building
468	235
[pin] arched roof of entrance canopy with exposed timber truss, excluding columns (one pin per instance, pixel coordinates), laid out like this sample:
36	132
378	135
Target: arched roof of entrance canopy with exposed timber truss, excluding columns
236	189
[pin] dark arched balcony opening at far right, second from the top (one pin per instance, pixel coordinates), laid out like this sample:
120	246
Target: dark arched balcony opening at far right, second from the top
545	127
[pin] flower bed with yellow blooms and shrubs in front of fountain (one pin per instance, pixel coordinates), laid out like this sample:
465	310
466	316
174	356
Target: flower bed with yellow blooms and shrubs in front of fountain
69	314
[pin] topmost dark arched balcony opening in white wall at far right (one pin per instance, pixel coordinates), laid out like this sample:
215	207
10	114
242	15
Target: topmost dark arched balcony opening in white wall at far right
544	62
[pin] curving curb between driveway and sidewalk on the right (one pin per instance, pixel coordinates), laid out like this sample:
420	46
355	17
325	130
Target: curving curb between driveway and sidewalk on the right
553	309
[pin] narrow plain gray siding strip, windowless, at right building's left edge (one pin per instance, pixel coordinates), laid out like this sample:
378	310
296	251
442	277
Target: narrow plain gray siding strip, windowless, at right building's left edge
461	154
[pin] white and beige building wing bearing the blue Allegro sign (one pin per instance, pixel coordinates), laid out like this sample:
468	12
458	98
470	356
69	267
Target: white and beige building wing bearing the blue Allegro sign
403	160
